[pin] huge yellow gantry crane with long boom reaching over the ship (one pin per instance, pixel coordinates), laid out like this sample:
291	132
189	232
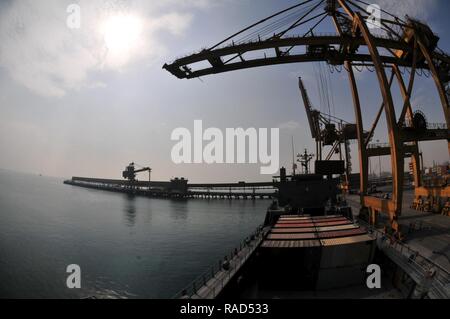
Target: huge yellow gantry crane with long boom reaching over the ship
289	36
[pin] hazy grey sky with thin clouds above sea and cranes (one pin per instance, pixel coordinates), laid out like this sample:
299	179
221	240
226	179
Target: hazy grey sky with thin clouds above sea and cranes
81	102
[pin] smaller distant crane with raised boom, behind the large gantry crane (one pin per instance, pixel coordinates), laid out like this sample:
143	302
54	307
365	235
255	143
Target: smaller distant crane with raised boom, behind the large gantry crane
328	130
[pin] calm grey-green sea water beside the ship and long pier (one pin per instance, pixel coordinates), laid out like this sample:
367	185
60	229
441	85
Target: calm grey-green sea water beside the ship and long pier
126	247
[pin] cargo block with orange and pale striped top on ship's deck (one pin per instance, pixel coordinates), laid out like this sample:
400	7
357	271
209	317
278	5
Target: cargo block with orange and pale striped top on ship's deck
320	252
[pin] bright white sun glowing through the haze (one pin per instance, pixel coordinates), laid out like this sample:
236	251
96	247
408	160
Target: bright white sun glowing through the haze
122	35
